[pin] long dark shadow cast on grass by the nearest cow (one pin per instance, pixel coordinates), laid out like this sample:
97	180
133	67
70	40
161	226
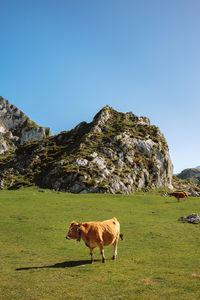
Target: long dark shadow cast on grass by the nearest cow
65	264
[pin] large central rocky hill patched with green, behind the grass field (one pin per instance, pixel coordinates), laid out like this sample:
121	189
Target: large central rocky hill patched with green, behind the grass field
115	153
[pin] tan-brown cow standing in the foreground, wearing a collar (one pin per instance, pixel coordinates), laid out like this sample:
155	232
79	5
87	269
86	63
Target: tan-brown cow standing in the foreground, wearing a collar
96	234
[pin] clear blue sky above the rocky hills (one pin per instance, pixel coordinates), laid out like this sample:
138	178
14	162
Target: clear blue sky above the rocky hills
61	61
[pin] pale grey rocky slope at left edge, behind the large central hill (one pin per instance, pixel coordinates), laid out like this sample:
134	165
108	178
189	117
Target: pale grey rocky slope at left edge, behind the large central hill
17	128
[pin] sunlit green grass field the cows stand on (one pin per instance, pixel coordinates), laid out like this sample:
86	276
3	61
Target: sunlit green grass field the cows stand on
158	259
